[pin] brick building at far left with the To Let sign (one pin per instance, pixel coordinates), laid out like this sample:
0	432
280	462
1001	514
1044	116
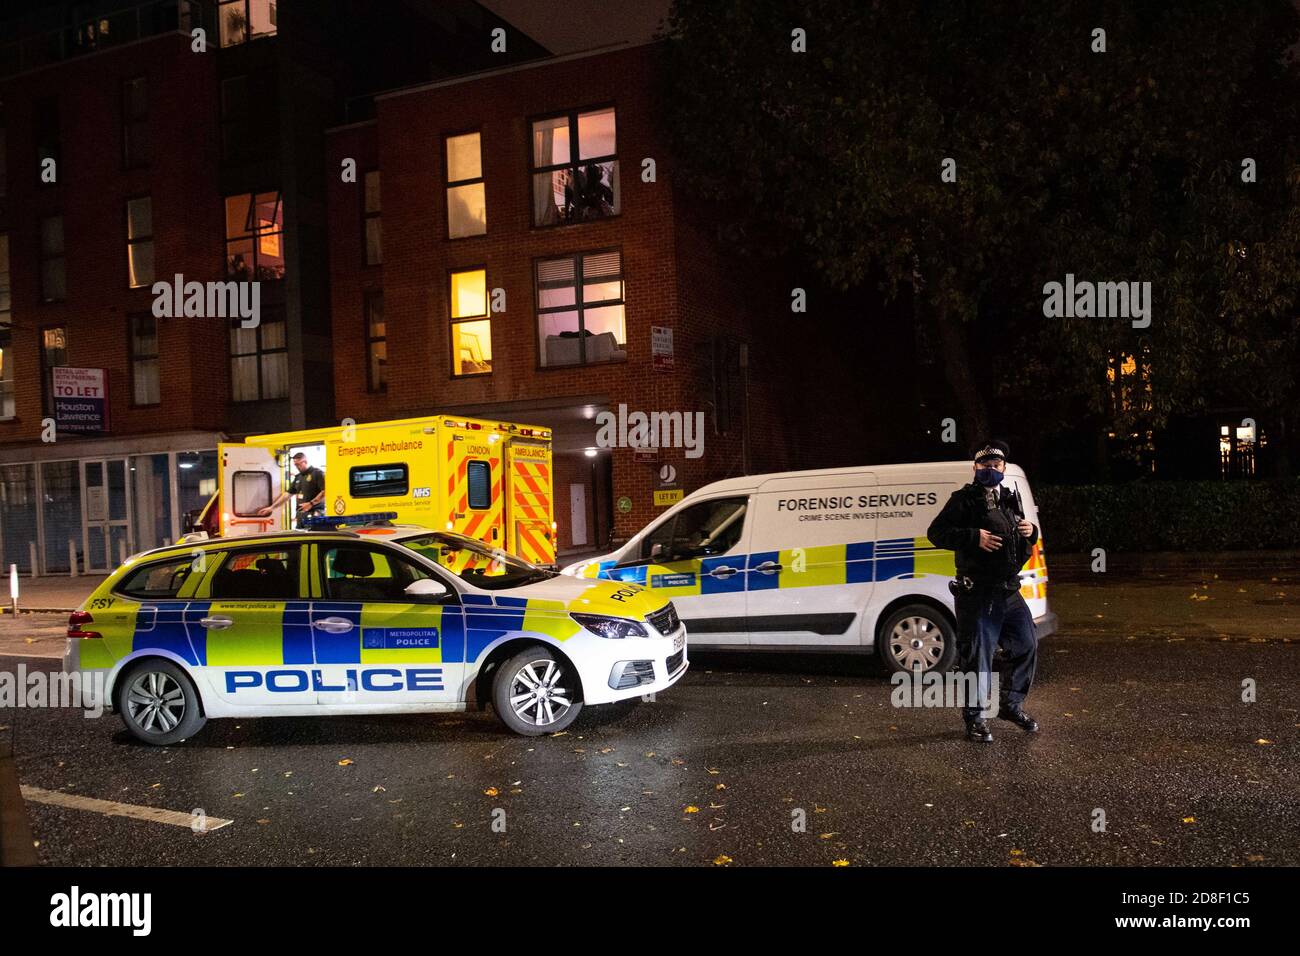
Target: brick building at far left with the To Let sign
128	157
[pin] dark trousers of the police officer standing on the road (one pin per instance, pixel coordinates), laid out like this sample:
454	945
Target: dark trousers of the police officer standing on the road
989	618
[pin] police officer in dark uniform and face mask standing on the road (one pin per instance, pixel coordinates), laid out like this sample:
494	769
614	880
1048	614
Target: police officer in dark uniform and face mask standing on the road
985	526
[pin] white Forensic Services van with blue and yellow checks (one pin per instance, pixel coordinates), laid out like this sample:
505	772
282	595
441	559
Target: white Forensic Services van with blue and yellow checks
833	560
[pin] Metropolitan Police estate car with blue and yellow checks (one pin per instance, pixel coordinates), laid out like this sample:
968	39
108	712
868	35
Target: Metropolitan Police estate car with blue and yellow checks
365	621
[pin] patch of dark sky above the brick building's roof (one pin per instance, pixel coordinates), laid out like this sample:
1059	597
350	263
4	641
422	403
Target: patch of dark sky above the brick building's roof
567	27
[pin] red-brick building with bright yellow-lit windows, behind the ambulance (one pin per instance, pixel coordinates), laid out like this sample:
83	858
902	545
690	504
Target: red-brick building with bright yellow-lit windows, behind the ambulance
504	253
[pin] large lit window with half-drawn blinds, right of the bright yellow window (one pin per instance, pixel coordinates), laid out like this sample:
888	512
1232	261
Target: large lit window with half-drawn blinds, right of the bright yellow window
580	309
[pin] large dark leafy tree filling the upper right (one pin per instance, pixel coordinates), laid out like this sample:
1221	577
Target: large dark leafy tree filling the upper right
1117	166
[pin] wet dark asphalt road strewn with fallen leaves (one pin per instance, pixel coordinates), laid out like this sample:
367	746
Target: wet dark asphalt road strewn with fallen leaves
1141	697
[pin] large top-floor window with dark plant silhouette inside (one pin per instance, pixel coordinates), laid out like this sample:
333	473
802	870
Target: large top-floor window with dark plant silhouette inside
575	168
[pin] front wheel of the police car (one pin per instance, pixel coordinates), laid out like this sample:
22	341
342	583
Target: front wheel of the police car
536	693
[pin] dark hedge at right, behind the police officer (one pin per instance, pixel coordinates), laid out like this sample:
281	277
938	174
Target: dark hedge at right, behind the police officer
1171	516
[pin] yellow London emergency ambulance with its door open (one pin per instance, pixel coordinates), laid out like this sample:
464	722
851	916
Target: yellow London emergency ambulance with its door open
486	479
